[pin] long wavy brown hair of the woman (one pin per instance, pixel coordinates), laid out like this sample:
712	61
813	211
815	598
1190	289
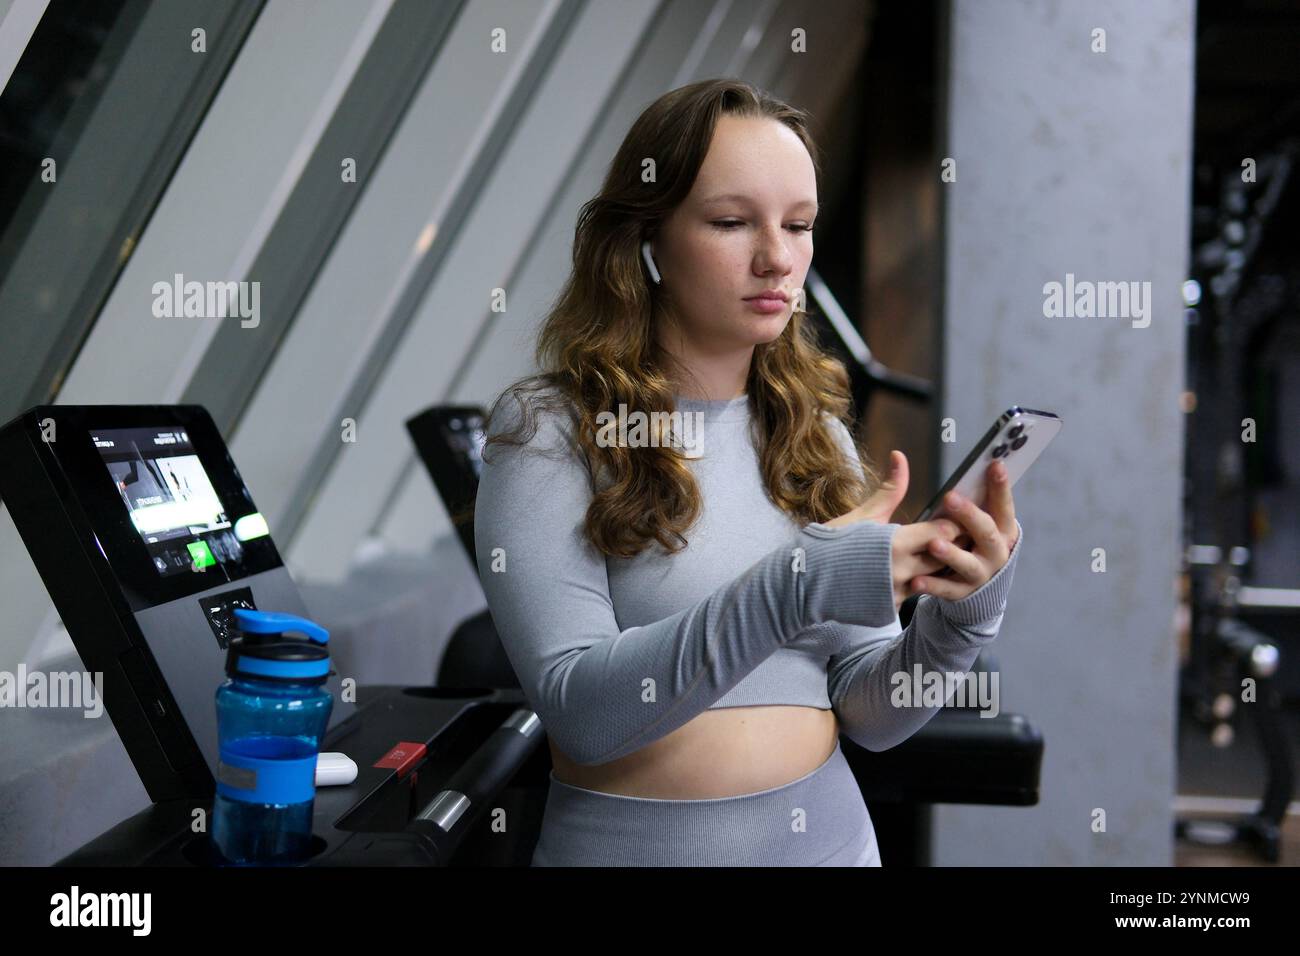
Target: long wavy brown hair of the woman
597	348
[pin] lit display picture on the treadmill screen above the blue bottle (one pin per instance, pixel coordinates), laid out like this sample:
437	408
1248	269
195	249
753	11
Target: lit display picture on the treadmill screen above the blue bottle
170	498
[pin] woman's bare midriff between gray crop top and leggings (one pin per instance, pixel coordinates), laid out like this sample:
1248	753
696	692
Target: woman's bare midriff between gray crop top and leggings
726	752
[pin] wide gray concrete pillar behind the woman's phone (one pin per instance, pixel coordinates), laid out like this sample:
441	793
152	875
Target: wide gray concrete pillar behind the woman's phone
1073	155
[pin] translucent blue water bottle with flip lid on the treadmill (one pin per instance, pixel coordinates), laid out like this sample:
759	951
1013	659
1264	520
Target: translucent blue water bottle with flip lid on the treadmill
271	717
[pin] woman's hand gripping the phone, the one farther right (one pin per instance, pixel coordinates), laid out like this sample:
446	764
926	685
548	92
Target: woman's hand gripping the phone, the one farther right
993	533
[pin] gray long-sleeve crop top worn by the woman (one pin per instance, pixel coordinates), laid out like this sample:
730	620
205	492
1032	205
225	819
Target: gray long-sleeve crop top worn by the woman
614	654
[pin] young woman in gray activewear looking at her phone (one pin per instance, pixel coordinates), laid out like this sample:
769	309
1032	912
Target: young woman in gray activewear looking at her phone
696	622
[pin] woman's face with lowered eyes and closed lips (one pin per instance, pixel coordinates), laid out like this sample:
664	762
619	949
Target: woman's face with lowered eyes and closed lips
744	230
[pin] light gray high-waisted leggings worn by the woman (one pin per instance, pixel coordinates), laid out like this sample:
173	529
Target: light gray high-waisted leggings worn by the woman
818	820
